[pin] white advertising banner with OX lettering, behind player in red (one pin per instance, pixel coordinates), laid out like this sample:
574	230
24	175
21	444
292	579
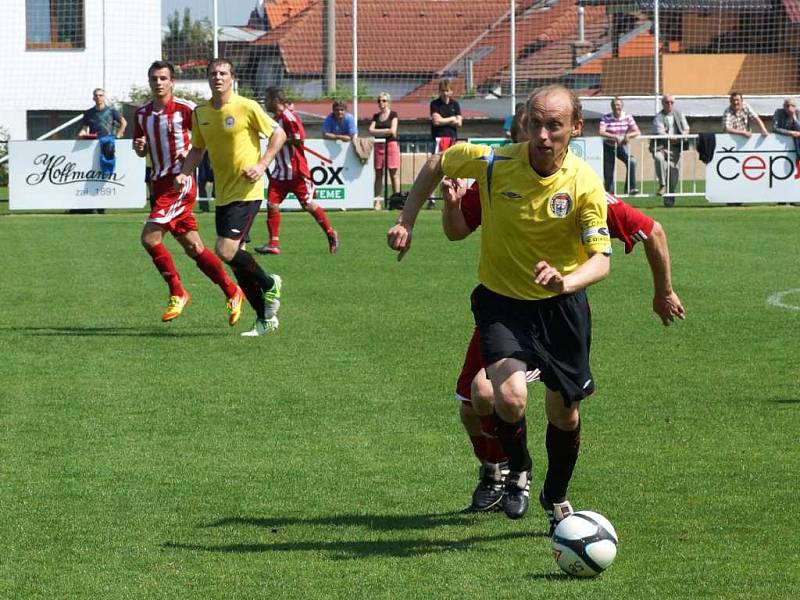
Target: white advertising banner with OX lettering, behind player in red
341	180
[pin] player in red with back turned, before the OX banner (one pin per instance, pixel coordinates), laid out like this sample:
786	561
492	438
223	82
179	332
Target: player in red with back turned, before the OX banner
291	175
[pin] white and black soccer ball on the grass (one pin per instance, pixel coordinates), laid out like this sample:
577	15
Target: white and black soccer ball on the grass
584	544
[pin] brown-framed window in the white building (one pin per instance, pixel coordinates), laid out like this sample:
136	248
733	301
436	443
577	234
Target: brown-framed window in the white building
54	24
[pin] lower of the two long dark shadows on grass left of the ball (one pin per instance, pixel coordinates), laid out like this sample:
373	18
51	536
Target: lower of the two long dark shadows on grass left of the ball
347	550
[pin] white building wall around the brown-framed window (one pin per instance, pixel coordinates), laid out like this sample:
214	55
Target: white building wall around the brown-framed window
122	38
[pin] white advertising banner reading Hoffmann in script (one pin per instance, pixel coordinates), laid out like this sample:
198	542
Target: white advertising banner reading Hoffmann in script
67	174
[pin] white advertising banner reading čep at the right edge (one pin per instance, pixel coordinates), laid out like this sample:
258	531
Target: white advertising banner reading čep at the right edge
758	169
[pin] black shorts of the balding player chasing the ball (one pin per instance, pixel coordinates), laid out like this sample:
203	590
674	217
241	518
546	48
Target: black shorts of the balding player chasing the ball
552	335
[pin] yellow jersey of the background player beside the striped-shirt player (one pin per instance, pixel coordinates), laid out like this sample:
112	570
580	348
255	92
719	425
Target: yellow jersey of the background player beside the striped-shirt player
230	135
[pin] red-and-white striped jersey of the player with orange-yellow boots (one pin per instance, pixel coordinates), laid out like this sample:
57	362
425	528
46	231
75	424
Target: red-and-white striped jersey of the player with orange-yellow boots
167	133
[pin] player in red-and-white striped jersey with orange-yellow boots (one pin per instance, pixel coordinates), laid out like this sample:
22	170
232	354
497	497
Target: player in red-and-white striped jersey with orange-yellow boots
162	133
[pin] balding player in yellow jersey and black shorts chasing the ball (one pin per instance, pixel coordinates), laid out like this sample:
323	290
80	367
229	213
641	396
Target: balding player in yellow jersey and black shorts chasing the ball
544	240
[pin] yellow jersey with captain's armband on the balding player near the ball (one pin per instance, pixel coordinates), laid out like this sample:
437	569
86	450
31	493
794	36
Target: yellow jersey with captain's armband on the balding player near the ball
526	218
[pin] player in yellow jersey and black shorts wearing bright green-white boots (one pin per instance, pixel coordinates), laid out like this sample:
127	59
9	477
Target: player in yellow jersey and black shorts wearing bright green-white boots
228	127
